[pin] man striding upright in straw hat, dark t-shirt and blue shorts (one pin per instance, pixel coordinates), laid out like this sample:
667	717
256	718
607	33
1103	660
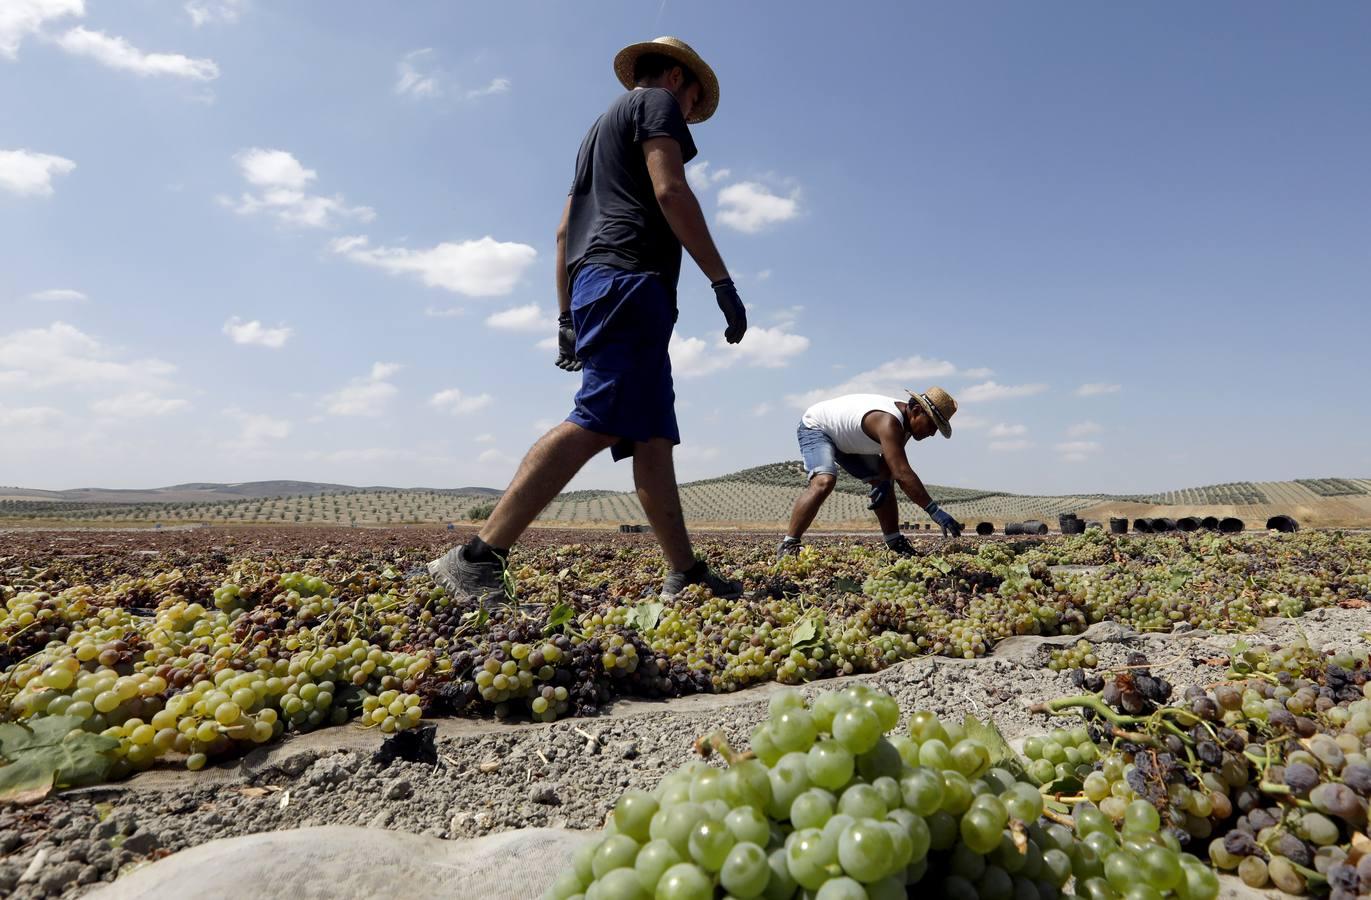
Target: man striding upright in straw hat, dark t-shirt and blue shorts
619	252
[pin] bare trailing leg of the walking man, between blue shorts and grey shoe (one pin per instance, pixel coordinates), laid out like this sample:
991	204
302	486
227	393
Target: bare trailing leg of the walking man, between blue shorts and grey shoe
546	470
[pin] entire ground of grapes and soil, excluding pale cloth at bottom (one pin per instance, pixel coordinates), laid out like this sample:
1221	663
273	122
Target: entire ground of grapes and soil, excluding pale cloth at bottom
223	683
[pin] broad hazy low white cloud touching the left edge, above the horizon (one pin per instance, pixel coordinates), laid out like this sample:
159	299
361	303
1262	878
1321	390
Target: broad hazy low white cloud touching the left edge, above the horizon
64	356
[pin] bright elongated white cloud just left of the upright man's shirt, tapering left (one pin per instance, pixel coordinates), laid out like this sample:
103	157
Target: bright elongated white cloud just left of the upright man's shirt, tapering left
475	268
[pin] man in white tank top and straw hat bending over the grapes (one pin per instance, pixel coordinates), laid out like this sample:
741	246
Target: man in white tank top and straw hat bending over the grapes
866	434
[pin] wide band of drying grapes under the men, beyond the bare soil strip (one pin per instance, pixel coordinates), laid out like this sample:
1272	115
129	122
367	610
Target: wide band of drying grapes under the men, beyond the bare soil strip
201	656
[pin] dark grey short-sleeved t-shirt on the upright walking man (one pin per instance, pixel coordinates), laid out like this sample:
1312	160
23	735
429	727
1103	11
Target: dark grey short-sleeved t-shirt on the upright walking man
615	217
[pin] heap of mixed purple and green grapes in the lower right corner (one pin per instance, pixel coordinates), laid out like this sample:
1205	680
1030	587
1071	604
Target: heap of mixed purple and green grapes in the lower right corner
1267	774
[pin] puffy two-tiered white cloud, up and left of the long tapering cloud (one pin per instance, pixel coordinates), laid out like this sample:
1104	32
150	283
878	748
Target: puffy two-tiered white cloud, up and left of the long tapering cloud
283	182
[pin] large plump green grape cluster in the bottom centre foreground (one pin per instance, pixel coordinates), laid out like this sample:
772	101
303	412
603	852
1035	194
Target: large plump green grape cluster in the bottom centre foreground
833	803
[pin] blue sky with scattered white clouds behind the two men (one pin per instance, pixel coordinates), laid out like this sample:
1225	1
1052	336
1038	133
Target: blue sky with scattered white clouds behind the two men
315	241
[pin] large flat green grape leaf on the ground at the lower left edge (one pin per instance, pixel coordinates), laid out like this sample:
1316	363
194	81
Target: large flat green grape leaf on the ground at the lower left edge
50	753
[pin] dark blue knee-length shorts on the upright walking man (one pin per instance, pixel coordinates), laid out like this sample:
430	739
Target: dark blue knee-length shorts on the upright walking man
623	326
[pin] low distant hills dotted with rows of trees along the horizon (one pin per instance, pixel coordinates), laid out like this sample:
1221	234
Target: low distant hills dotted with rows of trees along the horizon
757	496
